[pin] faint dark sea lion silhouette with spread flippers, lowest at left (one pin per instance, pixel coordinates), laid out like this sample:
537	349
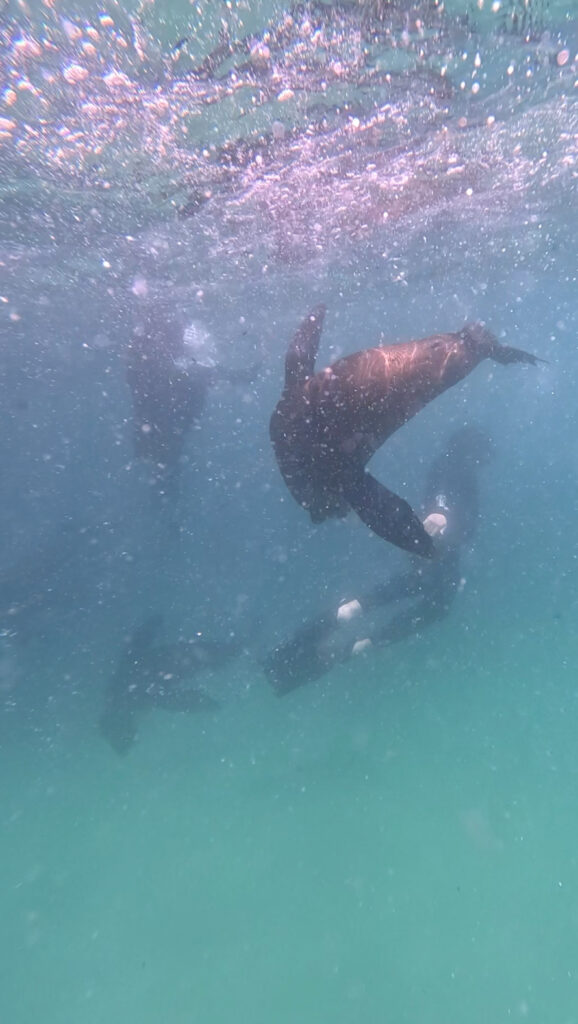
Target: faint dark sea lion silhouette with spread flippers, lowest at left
151	675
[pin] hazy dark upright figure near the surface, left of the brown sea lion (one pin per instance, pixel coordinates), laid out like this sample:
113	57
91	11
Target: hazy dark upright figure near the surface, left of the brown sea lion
170	382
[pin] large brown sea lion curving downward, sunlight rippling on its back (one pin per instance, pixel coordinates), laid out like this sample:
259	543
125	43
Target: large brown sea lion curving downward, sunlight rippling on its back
328	425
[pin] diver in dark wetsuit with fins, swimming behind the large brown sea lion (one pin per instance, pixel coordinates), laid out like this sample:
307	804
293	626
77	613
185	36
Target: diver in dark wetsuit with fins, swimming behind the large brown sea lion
451	507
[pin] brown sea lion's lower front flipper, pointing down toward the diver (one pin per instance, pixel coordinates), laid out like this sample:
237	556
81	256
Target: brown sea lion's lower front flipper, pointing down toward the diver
388	516
